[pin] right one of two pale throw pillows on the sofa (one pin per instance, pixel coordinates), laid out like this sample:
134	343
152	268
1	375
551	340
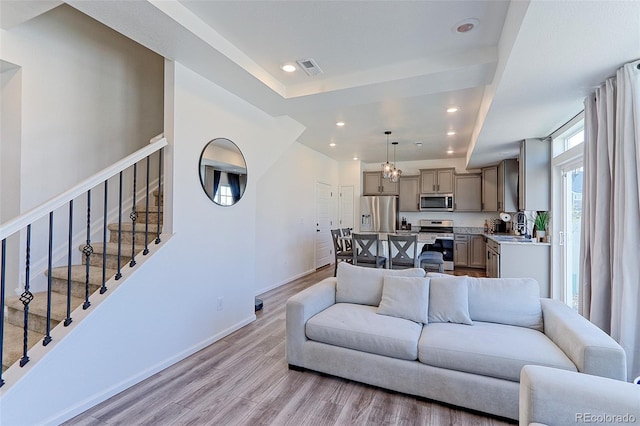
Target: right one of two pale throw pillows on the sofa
449	300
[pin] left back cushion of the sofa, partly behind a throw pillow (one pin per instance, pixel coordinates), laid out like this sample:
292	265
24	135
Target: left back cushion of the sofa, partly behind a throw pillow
361	285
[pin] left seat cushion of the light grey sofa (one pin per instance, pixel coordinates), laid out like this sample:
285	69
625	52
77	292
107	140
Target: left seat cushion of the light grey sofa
359	327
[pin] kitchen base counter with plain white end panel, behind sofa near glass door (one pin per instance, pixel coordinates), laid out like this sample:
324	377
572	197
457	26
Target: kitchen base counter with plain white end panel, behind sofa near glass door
510	256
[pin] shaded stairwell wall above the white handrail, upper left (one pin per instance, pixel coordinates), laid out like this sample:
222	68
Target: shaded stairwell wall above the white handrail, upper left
89	95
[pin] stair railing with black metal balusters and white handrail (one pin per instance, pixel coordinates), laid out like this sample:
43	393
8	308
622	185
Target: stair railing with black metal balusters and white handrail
26	225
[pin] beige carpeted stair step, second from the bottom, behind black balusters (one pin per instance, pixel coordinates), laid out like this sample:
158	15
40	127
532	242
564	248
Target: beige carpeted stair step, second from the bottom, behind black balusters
38	310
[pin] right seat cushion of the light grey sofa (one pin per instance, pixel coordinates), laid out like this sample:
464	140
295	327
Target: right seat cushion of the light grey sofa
488	349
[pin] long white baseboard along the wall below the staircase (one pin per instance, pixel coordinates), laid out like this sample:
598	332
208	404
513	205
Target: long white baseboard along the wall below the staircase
127	383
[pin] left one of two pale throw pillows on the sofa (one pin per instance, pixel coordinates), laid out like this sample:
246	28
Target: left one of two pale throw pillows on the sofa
405	297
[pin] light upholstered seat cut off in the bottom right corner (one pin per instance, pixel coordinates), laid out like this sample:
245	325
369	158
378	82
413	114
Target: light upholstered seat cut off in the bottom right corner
550	396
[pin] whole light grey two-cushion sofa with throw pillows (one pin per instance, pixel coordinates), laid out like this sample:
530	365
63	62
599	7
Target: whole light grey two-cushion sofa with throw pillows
458	340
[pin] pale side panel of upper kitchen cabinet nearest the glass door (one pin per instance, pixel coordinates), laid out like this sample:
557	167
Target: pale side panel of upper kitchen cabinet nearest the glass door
535	175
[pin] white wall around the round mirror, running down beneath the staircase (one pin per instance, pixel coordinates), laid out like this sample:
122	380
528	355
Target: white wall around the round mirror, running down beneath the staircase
166	309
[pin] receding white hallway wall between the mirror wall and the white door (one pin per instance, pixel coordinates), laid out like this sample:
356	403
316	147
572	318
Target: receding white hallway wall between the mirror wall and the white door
286	221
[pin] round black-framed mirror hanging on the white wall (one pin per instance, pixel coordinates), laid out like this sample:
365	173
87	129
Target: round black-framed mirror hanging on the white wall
223	172
